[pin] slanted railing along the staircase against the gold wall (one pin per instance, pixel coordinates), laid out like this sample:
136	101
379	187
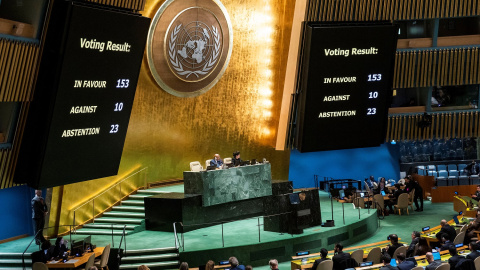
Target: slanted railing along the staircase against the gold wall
115	189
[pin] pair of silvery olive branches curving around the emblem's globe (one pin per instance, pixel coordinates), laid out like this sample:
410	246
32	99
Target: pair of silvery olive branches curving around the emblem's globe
176	63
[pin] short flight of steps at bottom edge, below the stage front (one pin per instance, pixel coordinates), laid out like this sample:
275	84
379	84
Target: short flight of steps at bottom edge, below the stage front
154	258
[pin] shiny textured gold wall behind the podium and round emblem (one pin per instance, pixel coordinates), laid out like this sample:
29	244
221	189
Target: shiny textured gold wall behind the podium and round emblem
240	113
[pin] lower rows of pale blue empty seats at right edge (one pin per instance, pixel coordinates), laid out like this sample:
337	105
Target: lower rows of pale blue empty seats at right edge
449	174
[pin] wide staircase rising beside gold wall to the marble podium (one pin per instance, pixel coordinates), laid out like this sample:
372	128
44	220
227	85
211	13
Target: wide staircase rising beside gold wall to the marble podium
131	212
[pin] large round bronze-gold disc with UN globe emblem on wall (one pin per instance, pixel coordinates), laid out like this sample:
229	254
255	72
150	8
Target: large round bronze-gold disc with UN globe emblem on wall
189	46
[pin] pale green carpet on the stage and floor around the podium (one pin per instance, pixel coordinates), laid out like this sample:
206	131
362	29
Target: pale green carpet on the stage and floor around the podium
246	231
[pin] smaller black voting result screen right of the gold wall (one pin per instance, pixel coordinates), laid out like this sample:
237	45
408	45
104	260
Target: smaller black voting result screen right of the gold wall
346	85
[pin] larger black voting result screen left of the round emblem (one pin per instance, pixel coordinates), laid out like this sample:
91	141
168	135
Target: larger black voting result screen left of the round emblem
85	100
